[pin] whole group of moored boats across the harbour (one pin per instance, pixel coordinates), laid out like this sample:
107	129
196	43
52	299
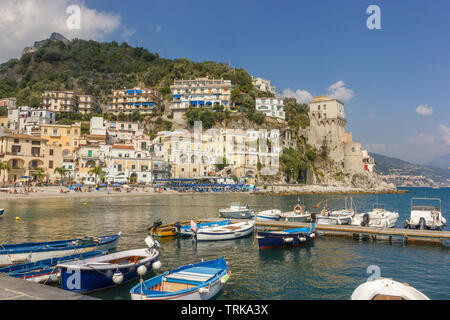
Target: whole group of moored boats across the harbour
90	264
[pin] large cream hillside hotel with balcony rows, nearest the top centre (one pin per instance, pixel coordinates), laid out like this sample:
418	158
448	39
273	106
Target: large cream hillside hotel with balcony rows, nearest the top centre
202	92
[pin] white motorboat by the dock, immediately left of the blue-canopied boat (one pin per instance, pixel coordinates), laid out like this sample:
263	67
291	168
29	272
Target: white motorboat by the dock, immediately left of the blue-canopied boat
379	217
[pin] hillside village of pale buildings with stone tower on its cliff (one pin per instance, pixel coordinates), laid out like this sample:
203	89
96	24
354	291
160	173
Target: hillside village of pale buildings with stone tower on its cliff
221	129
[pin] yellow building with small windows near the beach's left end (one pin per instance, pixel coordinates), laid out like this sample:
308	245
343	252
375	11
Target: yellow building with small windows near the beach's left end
64	135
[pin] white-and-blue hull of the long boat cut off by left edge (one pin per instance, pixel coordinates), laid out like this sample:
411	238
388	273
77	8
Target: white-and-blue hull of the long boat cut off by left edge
9	257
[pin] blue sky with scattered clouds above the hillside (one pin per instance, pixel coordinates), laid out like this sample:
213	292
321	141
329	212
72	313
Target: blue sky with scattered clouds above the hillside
394	81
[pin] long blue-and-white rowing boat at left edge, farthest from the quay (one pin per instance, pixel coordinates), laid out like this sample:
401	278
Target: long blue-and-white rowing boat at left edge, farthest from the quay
35	251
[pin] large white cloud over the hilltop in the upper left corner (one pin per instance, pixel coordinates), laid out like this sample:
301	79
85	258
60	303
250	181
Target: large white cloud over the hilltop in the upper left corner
25	21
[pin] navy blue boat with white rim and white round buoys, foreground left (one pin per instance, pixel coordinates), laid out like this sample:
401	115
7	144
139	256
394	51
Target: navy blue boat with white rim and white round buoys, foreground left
110	270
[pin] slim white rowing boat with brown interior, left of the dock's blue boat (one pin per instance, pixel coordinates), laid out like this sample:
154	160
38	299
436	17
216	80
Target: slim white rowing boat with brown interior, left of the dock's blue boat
227	232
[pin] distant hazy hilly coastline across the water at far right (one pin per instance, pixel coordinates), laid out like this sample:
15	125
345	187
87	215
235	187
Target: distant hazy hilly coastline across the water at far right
393	166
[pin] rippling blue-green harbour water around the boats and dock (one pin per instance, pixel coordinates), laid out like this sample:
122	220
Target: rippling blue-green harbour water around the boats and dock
330	268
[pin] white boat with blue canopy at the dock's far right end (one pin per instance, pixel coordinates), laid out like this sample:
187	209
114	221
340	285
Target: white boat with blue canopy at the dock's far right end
426	213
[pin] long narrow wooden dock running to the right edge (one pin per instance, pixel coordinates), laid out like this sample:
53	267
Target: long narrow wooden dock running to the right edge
355	232
